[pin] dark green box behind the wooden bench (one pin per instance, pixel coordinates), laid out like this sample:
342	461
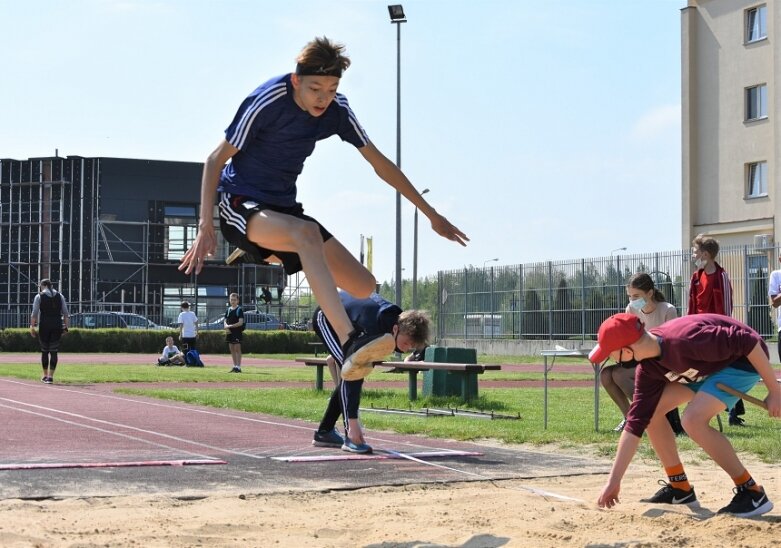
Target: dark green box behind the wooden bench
450	383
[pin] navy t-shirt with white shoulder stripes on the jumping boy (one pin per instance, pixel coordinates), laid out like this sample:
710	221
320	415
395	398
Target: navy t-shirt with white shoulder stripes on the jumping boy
275	136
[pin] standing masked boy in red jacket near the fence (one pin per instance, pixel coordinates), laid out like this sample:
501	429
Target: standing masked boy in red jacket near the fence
710	292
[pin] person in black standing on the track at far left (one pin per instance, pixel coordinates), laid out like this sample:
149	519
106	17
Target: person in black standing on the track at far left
50	316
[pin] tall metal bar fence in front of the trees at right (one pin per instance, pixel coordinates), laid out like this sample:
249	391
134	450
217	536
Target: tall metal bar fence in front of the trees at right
568	300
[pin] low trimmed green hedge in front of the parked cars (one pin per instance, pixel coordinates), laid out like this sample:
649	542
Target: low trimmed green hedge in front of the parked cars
141	341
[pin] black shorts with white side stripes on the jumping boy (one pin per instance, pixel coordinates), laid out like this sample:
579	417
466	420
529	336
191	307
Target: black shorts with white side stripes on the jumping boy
235	212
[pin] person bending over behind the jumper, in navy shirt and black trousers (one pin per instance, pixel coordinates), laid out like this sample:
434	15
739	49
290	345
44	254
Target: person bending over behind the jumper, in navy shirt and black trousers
374	316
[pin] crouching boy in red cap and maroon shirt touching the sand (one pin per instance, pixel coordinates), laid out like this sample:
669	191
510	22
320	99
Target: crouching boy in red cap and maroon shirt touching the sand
682	361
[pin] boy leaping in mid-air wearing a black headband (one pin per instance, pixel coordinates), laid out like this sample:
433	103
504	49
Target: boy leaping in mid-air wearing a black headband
275	129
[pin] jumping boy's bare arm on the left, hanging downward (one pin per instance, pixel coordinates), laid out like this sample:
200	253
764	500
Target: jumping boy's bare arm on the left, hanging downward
205	241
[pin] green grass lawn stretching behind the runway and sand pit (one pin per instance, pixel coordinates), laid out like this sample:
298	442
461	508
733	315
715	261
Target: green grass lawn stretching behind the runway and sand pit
570	410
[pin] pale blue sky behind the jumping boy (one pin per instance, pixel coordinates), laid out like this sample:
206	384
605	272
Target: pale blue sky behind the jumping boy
545	130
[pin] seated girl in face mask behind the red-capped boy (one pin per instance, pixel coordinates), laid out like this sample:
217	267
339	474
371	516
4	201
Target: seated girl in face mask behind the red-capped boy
647	303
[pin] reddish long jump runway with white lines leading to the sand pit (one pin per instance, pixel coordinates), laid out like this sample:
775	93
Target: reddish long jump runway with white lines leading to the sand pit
61	441
